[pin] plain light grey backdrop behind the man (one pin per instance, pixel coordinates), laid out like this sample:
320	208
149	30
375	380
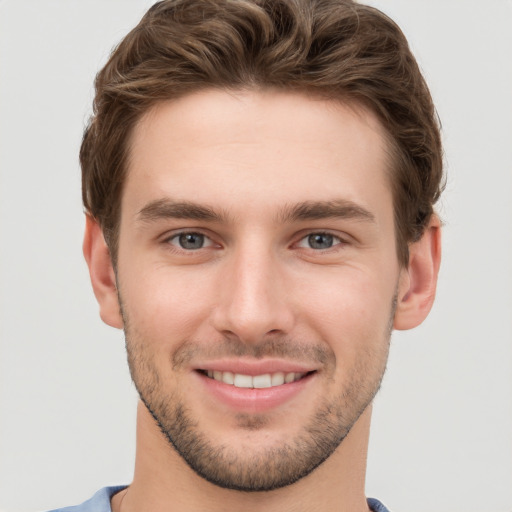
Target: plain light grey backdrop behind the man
442	431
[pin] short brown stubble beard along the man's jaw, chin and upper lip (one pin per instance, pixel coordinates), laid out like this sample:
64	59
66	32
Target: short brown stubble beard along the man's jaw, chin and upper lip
262	468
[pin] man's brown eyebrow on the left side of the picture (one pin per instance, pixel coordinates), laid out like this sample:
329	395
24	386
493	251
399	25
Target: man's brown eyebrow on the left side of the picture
169	209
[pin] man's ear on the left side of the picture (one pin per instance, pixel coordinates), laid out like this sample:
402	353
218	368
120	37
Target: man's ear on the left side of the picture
102	273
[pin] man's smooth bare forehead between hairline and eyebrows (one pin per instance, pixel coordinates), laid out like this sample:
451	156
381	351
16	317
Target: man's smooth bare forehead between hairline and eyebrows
257	151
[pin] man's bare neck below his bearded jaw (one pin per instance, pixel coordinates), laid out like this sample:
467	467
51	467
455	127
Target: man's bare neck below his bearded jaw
164	482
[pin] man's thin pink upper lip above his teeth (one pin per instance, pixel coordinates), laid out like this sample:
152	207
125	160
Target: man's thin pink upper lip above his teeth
255	366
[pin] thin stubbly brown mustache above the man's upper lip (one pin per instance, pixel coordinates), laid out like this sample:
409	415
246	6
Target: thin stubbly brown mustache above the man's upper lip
282	347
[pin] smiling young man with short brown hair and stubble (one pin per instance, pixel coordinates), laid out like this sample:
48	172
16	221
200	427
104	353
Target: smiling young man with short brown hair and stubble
259	180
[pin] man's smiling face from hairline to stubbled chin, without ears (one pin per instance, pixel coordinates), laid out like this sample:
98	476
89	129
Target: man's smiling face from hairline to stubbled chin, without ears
257	276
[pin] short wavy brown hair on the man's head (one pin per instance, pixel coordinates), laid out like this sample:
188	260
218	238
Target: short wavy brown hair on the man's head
336	49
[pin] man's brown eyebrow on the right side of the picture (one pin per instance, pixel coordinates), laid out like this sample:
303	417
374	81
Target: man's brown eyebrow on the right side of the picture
317	210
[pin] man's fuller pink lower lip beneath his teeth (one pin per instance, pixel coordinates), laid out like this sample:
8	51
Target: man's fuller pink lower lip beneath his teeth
254	399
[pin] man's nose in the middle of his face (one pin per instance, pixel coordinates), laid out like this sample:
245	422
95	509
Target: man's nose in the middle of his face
254	299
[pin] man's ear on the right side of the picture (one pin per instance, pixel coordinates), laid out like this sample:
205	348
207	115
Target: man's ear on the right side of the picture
417	286
